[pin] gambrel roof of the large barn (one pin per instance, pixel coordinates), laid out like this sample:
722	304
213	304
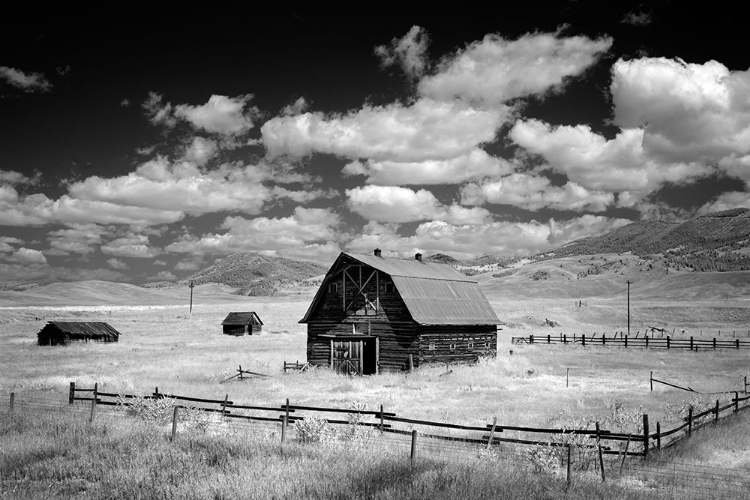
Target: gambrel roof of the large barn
434	294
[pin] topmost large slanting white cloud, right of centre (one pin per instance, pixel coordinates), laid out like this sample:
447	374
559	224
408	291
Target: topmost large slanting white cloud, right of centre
494	70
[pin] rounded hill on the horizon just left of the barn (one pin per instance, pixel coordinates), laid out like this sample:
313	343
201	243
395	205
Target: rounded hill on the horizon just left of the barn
255	274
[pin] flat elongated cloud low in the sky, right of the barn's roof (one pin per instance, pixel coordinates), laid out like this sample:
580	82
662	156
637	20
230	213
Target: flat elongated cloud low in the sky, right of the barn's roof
534	192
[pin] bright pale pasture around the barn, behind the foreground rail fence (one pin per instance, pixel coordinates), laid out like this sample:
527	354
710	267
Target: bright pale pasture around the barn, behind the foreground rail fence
163	346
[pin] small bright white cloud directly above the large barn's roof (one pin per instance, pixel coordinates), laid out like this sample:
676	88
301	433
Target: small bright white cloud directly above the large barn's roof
396	204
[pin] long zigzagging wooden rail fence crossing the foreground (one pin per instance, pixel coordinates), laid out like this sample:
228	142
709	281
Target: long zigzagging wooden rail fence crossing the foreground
489	435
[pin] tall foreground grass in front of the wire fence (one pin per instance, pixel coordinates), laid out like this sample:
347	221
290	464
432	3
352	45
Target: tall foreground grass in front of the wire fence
63	457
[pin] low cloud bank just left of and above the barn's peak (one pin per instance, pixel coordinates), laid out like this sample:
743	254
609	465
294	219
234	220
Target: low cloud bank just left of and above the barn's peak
303	232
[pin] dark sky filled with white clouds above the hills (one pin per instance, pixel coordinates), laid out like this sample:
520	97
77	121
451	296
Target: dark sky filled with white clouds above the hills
140	147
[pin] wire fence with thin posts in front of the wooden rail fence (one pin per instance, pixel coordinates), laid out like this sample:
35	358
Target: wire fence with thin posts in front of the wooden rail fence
584	463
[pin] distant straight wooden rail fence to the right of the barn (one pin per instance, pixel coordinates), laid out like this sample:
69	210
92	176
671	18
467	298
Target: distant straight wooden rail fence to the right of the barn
646	342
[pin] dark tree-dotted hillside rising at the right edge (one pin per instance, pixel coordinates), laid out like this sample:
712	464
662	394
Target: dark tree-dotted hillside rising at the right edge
714	242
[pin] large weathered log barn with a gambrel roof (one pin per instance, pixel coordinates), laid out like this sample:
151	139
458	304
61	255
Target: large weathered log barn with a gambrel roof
376	314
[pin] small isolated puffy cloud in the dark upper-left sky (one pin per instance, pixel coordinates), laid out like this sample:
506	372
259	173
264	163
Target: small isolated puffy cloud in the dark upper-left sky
223	115
